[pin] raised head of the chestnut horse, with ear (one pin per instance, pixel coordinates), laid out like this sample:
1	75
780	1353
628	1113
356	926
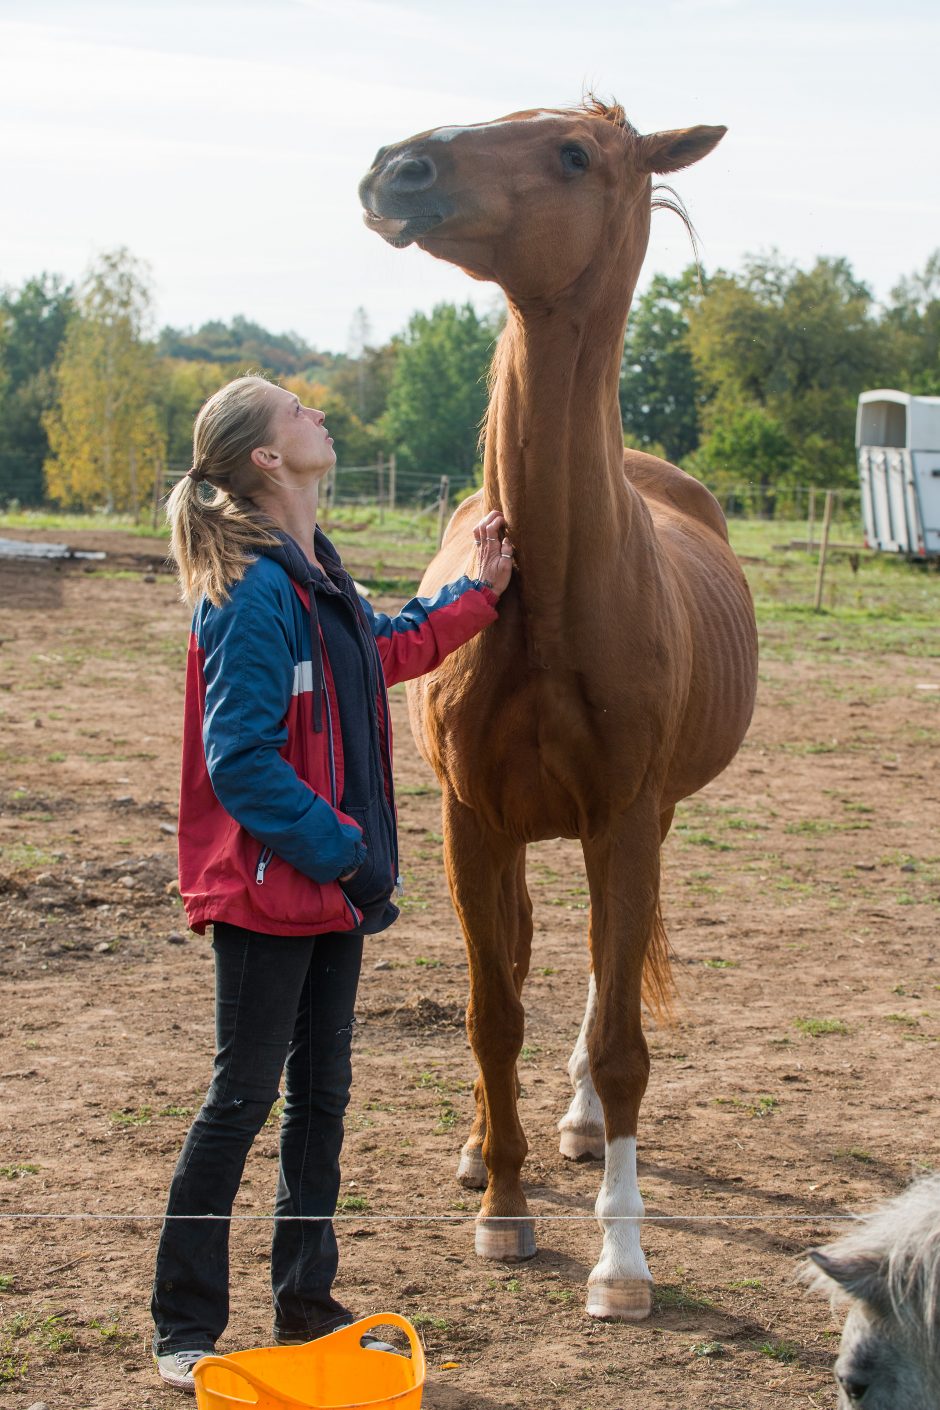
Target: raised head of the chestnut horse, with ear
531	201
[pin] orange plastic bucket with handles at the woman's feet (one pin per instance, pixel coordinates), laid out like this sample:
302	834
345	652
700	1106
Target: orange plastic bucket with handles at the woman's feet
330	1374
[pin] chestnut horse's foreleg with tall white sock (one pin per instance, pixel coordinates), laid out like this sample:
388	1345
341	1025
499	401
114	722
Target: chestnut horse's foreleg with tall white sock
624	873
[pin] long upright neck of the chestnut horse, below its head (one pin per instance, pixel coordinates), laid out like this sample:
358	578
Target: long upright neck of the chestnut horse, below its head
555	465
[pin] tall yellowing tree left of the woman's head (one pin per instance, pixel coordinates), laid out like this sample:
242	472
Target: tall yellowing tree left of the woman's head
105	432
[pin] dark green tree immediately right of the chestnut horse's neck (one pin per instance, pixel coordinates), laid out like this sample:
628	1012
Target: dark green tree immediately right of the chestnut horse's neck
660	391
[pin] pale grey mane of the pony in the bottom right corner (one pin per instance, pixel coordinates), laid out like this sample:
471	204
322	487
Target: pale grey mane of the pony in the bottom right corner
901	1244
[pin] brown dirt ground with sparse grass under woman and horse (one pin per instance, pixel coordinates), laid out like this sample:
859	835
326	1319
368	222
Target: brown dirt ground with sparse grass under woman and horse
800	1081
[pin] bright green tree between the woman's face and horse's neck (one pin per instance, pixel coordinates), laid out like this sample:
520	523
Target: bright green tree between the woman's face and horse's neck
439	391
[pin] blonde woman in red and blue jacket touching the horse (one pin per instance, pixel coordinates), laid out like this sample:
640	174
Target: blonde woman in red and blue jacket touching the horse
288	841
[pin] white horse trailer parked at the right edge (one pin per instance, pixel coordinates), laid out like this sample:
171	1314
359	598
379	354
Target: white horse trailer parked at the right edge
898	443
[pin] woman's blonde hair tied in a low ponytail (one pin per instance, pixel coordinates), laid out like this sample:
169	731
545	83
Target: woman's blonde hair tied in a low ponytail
214	541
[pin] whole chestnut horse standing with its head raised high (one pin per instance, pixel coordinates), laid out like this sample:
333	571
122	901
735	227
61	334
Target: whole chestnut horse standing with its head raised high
621	675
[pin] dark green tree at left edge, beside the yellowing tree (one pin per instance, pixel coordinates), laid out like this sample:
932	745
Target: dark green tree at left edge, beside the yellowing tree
33	324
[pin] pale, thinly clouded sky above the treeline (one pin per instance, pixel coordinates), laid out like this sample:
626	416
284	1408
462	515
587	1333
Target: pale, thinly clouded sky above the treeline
223	142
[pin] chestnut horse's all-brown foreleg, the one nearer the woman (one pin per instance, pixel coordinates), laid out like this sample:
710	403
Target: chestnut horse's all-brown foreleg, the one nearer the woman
486	873
